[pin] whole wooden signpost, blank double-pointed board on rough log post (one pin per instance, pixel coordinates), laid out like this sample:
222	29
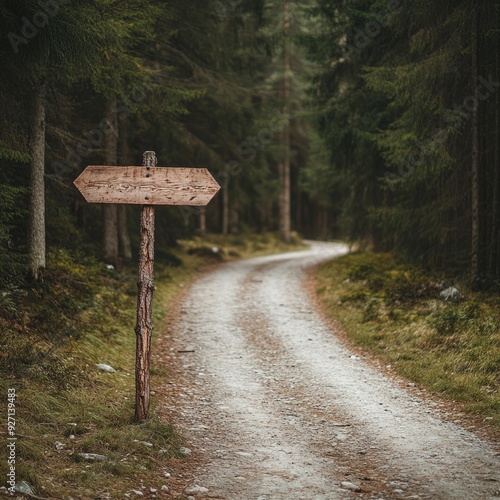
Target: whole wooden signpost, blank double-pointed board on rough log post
147	185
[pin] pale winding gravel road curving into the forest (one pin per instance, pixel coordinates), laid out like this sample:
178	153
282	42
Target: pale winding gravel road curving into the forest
273	406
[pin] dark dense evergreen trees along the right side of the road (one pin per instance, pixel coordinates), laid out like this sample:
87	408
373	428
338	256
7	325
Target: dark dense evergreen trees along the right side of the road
409	114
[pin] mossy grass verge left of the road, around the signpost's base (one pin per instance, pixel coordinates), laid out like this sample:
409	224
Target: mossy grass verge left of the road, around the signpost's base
53	334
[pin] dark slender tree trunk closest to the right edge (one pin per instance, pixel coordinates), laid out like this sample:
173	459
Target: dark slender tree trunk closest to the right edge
475	182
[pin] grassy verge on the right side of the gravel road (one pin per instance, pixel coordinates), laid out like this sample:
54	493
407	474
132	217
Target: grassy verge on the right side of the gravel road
394	311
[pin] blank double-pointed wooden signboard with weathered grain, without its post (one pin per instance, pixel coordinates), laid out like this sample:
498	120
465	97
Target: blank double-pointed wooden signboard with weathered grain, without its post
183	186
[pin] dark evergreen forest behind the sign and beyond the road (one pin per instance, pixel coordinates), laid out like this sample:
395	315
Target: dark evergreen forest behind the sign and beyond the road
375	122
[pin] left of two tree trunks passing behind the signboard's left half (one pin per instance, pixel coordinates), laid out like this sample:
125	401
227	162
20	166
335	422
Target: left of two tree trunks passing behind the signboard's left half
110	212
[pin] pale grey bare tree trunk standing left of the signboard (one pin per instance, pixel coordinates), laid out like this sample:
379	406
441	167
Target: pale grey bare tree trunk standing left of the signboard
37	183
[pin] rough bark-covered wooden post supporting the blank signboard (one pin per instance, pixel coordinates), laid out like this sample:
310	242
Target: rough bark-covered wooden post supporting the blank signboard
145	285
